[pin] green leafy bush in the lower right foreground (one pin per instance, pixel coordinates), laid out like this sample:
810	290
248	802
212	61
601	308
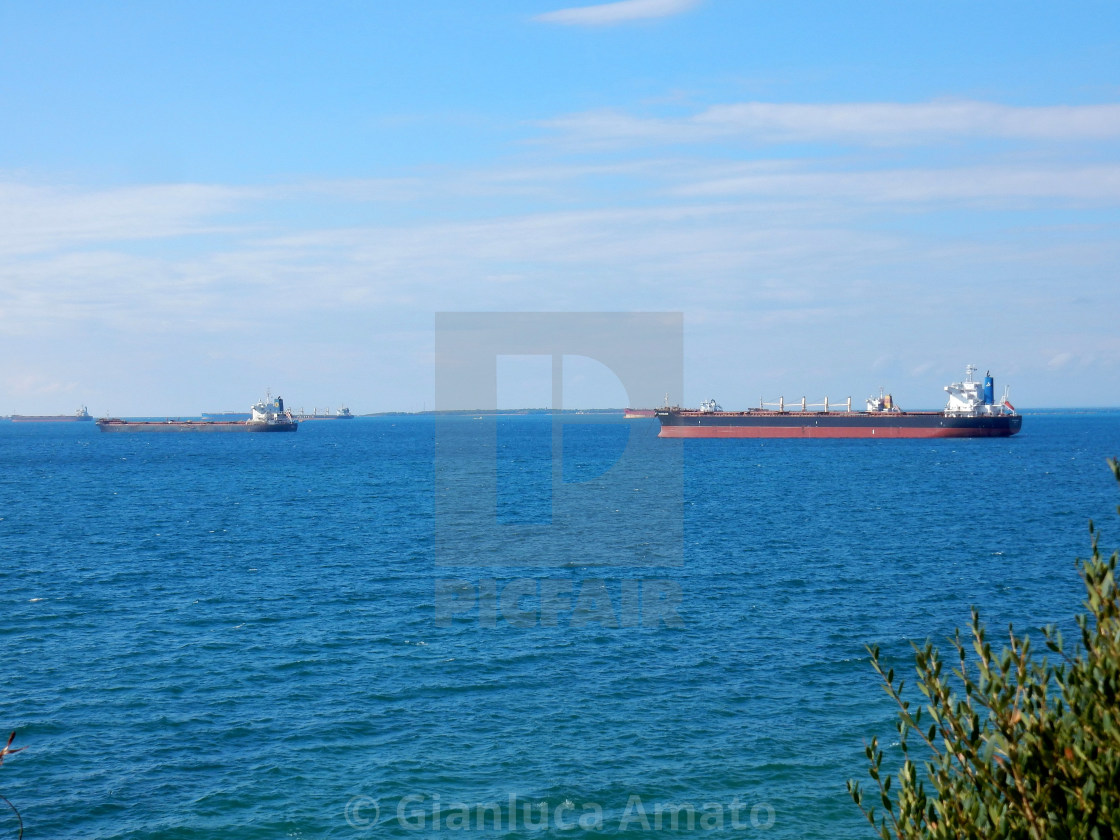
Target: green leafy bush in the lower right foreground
1013	745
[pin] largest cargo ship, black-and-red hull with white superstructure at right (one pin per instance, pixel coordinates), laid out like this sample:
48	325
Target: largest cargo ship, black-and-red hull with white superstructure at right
972	413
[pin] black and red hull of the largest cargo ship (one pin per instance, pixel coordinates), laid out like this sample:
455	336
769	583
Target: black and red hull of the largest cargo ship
834	425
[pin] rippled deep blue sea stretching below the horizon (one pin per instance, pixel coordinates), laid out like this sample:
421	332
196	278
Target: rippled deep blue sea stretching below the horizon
211	637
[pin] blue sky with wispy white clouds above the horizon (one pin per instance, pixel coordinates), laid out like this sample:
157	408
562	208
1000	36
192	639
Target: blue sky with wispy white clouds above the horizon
201	201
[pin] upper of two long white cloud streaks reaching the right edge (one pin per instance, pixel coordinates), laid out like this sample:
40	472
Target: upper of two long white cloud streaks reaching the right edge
856	124
